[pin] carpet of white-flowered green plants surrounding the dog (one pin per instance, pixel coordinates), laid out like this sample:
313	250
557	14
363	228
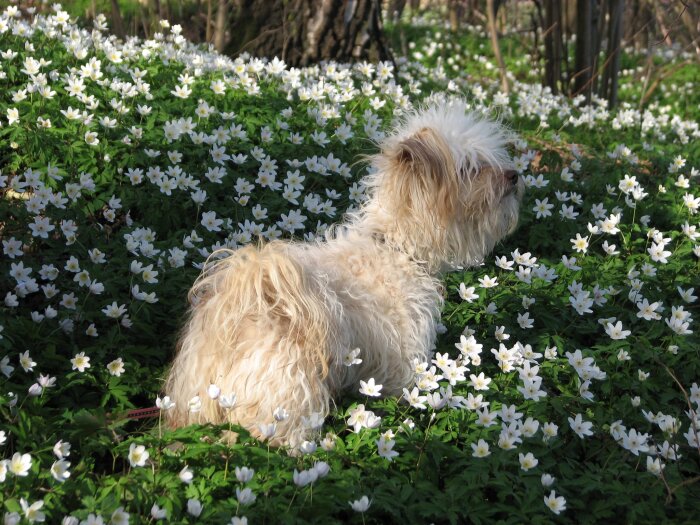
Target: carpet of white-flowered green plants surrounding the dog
565	386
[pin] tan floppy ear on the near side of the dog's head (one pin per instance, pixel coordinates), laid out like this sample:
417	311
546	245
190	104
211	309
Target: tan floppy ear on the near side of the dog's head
424	179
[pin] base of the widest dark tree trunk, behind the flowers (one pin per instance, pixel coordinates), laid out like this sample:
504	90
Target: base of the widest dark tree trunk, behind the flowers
302	32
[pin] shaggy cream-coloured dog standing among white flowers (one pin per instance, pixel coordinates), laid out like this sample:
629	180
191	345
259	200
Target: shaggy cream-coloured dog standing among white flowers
275	325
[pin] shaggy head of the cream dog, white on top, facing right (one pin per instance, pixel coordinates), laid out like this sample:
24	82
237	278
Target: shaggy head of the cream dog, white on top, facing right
444	188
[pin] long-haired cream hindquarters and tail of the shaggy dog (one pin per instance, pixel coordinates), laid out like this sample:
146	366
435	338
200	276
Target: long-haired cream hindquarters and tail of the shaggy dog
259	327
